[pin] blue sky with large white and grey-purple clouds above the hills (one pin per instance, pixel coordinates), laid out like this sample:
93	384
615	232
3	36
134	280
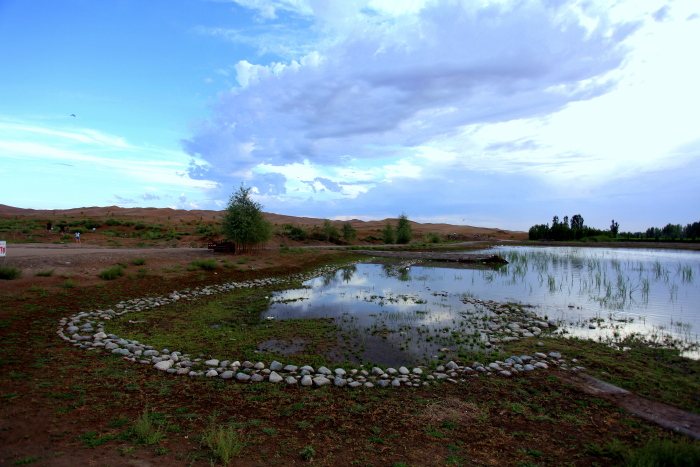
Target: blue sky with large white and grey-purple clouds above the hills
490	113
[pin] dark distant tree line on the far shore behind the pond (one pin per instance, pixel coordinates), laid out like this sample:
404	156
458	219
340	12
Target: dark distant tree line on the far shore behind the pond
574	229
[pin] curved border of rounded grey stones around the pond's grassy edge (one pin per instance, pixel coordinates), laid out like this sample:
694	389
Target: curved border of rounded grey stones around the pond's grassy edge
86	331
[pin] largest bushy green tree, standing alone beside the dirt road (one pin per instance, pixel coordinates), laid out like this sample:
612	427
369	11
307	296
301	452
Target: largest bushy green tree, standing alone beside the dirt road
243	223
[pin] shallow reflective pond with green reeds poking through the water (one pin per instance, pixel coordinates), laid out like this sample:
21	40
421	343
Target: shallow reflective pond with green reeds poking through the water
403	313
